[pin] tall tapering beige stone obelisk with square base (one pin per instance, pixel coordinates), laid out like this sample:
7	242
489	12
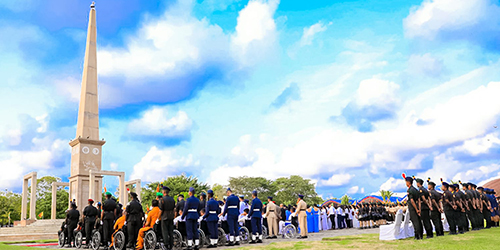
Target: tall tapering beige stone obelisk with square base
86	147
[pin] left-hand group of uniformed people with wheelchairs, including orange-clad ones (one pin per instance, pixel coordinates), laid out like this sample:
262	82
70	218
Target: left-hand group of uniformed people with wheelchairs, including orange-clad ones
191	224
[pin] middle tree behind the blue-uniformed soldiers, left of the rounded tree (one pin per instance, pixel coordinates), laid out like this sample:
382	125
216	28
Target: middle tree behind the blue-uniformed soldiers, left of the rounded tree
245	185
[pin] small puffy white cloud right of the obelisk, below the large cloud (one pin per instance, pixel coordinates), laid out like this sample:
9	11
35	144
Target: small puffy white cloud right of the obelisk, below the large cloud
156	122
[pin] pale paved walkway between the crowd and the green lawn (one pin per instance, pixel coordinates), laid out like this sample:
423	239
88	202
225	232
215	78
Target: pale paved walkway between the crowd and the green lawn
312	237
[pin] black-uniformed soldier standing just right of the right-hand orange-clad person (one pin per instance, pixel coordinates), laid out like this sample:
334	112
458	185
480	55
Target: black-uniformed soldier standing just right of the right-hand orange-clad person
167	207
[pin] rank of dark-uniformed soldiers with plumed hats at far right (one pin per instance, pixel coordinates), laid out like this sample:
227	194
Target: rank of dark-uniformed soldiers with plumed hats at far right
466	208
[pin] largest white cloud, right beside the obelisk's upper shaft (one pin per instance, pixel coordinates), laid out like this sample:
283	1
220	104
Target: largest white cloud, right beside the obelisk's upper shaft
171	57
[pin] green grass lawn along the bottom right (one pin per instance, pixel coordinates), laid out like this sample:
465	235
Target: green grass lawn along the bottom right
484	239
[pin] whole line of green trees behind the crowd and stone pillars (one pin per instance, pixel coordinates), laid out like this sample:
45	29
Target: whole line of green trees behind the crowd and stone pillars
283	190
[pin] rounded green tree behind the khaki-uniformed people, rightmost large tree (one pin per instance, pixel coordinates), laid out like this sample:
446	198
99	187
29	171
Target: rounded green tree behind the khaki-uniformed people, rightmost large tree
288	189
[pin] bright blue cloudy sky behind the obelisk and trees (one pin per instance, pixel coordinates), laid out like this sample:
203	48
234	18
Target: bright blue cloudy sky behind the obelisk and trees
347	93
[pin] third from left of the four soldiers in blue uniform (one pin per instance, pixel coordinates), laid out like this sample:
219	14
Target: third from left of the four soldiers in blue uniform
232	210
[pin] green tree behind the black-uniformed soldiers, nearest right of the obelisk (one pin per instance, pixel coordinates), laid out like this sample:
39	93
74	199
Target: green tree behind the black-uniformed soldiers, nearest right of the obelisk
179	184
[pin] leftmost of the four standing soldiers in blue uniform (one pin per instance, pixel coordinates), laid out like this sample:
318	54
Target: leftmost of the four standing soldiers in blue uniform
191	215
